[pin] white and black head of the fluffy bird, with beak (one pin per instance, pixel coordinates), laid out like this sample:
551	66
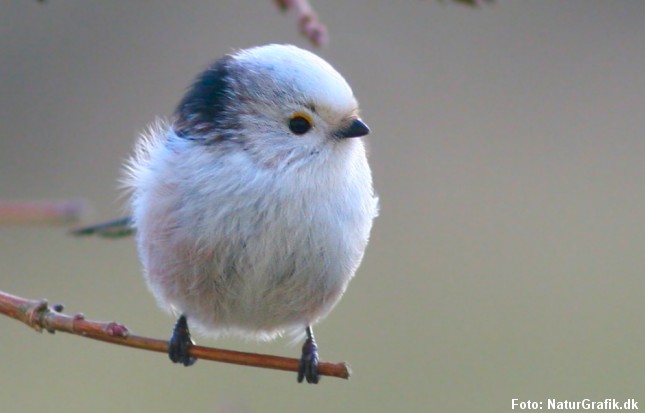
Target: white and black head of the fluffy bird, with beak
279	103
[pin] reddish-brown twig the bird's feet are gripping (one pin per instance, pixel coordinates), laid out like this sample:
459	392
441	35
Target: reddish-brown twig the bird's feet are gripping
38	315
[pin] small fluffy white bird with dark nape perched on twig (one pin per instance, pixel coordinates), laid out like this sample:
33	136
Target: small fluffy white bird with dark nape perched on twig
253	204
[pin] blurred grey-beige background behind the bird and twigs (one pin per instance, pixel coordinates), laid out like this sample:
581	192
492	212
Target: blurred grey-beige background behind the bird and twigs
507	149
